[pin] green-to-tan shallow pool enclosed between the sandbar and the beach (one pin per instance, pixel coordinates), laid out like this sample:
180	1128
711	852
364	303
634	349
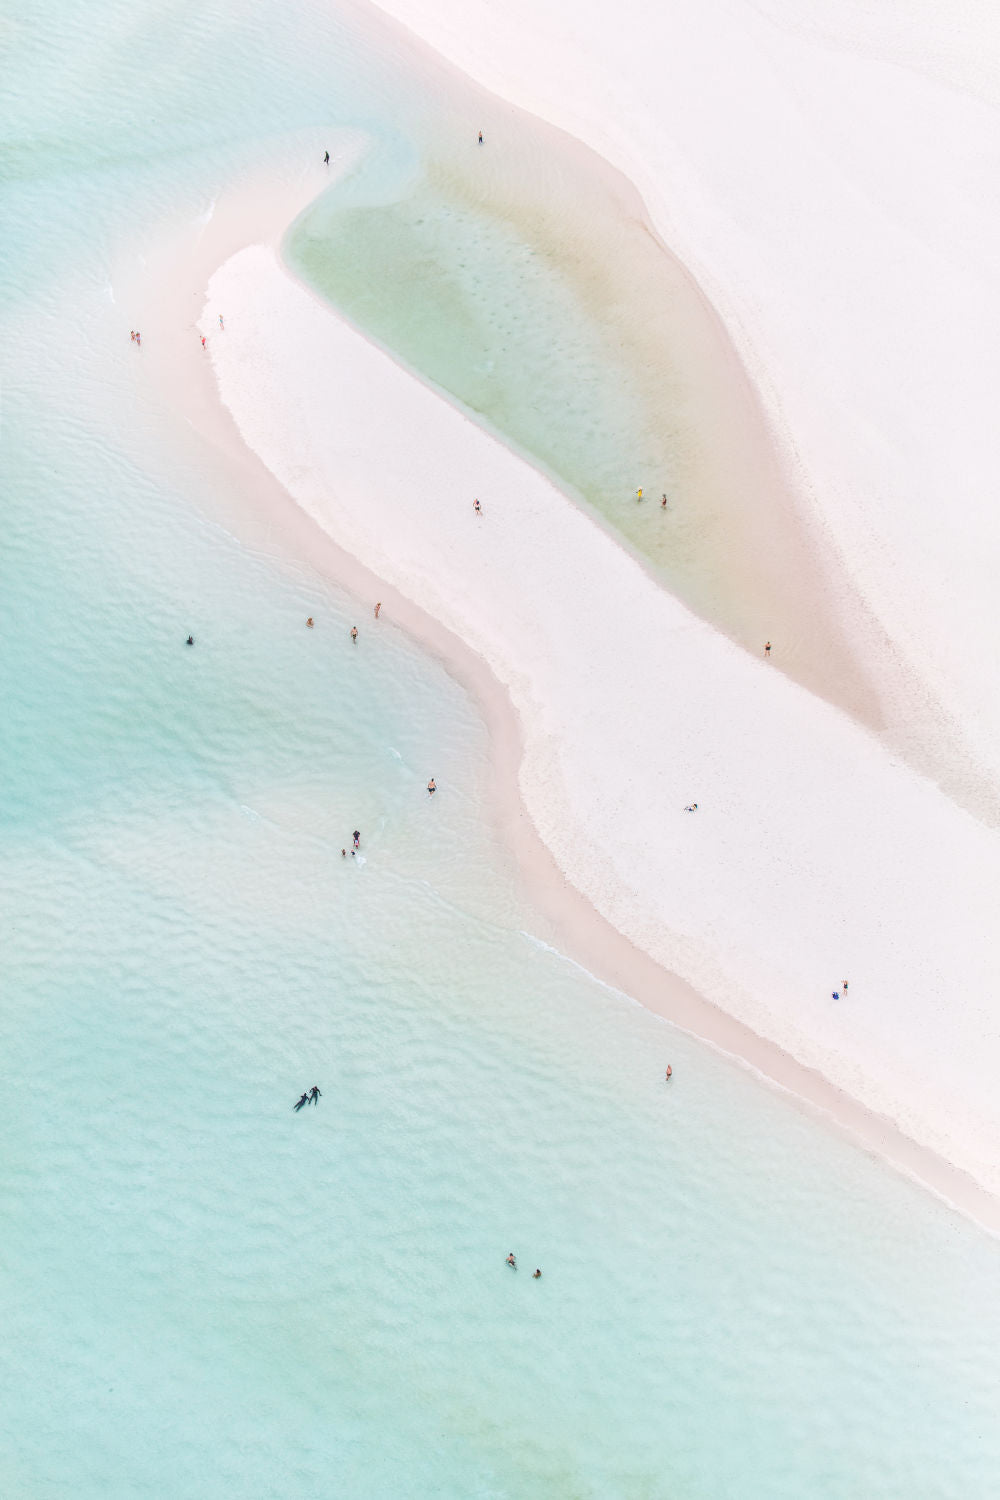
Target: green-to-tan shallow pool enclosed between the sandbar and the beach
524	281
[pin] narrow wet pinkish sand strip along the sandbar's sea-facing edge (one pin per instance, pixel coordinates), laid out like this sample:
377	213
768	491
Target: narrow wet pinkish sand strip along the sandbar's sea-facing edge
275	520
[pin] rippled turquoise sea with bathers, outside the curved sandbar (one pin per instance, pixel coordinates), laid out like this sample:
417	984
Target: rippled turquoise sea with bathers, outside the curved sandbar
203	1292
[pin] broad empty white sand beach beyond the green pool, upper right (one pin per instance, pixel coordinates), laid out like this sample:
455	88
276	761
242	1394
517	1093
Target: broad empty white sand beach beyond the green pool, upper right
828	176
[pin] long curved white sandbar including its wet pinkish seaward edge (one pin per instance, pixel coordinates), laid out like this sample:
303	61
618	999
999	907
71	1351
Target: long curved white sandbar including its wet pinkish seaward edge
737	922
